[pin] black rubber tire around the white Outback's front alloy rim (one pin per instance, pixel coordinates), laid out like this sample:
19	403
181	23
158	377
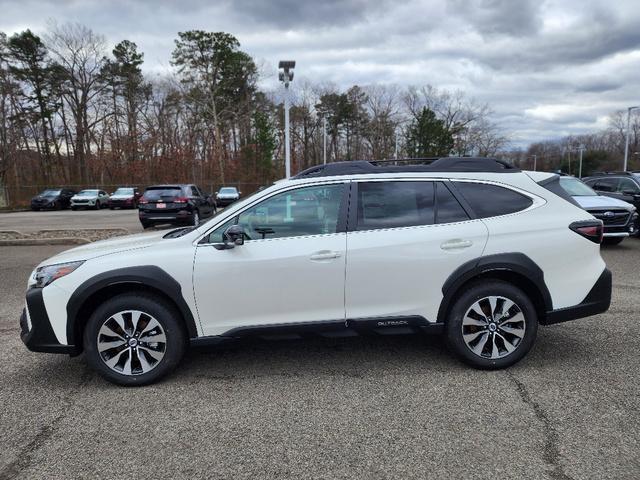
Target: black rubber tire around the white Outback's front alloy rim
154	306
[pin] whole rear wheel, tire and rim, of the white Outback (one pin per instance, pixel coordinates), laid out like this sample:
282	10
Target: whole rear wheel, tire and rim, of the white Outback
492	325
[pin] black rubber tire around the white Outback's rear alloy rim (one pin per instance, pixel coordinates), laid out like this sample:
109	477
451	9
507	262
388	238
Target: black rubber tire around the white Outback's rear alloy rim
474	293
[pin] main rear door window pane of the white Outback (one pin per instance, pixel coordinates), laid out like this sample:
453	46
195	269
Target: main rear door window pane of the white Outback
395	204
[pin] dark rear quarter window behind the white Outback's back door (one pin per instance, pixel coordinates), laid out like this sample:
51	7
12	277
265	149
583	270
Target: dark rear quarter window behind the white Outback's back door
488	200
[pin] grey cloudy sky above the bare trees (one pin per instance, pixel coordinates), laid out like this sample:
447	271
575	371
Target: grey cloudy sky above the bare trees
547	68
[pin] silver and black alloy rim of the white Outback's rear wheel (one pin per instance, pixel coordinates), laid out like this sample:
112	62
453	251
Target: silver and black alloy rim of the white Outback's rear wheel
493	327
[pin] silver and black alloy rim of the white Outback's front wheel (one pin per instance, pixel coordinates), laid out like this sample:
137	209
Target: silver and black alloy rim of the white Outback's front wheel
131	342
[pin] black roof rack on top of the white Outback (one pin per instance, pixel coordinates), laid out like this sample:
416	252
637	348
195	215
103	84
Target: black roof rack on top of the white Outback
438	164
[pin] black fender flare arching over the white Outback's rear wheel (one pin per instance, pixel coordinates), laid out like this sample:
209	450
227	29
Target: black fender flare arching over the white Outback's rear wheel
517	263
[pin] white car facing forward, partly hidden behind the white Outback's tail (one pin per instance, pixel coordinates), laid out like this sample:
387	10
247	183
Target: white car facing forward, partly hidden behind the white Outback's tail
620	218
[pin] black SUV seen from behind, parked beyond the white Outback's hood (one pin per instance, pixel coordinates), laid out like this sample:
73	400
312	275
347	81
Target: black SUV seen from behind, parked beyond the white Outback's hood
174	204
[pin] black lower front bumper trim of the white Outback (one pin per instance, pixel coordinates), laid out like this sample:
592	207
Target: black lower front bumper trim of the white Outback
36	331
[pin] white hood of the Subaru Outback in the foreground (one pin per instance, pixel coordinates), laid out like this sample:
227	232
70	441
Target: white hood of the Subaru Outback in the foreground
107	247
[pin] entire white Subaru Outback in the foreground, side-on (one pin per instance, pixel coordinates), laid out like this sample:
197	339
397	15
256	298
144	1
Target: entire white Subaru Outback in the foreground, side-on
469	247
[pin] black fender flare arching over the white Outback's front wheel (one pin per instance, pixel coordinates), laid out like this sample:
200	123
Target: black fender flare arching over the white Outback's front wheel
147	275
